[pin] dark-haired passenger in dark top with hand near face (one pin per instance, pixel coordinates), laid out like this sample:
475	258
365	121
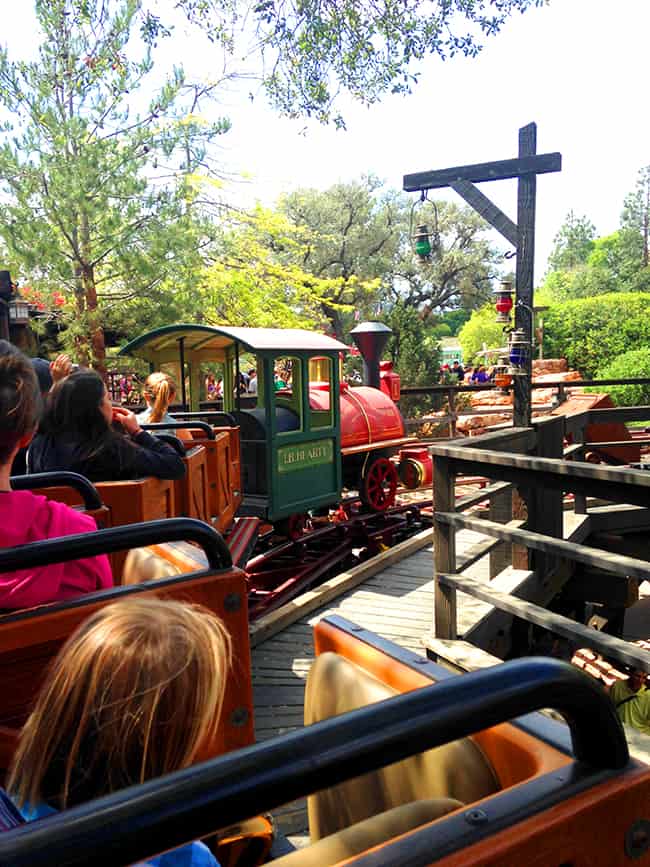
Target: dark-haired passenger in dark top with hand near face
76	434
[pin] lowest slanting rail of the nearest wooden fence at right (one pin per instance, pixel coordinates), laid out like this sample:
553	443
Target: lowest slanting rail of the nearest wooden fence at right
614	648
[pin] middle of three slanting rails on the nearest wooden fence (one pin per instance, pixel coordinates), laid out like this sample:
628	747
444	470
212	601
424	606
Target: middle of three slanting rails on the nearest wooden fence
619	564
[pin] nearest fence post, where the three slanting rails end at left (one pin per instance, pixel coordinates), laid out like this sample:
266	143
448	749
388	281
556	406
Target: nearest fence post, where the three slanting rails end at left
444	548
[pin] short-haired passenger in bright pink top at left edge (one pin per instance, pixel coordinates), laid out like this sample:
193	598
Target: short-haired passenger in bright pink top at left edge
27	517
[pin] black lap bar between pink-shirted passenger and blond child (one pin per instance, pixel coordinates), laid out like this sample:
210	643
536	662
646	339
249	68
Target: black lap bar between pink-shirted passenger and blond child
127	536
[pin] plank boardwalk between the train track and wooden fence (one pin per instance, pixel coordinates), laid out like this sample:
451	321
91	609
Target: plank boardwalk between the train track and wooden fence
397	603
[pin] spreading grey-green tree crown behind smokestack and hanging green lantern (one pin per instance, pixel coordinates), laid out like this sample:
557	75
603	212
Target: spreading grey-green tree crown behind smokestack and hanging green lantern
360	235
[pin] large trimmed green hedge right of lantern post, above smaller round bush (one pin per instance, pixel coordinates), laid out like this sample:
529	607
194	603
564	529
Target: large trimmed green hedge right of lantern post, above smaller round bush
592	333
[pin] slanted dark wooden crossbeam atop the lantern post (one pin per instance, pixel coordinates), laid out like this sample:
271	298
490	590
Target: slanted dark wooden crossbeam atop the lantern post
496	170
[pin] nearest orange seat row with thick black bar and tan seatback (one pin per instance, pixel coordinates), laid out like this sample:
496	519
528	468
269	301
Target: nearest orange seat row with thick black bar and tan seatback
403	763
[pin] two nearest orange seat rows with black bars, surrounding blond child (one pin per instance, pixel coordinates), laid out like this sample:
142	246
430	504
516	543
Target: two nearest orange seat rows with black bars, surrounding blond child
402	762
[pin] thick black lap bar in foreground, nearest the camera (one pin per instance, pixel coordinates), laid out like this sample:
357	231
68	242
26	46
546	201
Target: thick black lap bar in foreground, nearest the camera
119	829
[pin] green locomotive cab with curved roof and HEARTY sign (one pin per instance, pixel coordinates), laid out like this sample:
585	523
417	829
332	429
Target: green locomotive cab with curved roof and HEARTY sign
291	450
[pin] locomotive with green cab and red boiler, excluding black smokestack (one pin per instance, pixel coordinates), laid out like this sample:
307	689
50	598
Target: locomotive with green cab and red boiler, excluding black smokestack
299	447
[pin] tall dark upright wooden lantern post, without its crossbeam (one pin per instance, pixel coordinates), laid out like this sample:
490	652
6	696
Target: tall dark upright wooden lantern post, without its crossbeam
526	190
